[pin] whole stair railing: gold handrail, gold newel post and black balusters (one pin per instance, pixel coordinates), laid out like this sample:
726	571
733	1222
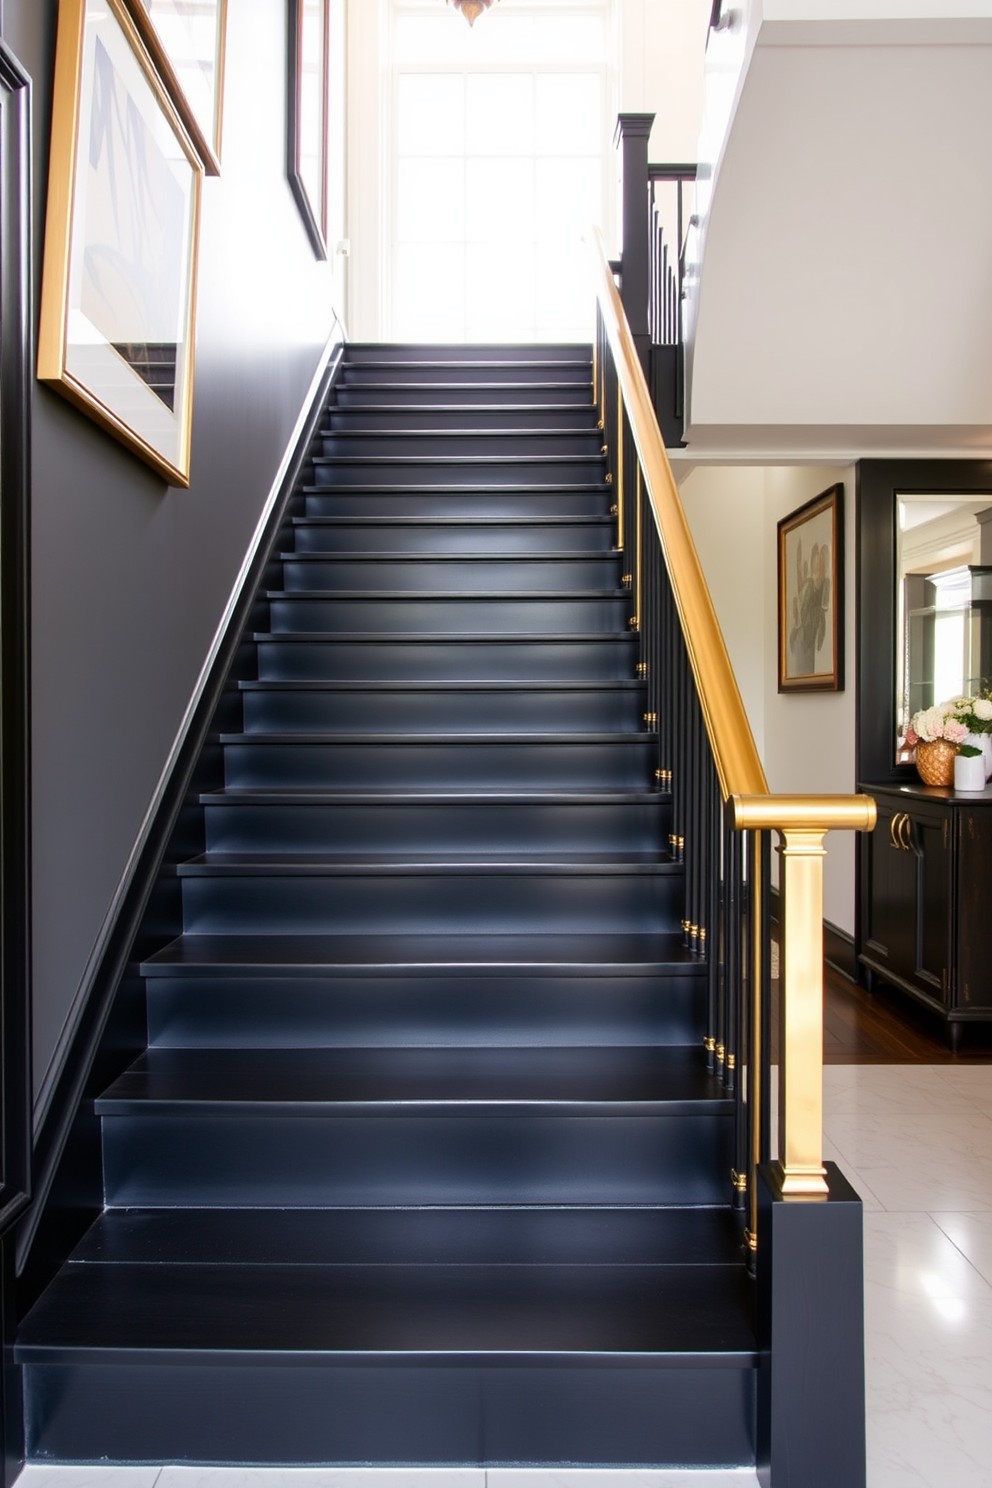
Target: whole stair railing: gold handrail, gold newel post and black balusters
724	813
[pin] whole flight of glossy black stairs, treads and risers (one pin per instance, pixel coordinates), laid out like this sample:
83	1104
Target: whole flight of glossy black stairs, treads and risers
423	1163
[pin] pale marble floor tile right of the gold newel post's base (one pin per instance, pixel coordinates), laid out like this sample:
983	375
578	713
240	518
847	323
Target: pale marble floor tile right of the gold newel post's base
920	1163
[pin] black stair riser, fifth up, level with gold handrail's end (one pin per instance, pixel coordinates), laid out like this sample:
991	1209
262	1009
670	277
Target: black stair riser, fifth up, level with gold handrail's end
439	827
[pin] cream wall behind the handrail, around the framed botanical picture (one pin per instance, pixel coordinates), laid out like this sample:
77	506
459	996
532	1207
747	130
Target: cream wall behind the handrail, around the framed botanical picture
805	740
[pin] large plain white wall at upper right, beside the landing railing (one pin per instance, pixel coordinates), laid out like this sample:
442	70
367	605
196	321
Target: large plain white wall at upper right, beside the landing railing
844	292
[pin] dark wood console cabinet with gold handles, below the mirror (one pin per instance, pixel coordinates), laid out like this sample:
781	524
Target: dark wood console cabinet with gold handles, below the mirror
927	902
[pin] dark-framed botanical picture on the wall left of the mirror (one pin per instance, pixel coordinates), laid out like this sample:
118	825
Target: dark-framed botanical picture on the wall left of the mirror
811	596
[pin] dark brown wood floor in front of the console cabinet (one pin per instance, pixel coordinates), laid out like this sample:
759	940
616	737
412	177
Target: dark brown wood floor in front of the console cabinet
892	1029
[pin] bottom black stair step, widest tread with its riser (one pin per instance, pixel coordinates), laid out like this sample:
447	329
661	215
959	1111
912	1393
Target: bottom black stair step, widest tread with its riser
417	1337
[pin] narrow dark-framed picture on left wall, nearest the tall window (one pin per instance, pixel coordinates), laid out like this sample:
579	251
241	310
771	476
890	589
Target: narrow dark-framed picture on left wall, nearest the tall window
309	115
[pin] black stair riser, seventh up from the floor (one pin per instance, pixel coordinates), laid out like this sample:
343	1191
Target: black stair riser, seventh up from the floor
432	711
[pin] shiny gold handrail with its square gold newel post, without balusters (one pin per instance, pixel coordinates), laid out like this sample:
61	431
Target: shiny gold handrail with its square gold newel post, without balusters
801	821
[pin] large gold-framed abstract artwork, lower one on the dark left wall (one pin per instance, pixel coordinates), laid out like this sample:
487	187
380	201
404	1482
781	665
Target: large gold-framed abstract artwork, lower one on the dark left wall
120	280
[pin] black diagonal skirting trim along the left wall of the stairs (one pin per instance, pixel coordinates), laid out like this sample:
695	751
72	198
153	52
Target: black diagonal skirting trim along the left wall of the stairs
77	1053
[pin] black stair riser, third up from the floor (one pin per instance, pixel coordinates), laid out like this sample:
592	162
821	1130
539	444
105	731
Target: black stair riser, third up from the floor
200	1013
